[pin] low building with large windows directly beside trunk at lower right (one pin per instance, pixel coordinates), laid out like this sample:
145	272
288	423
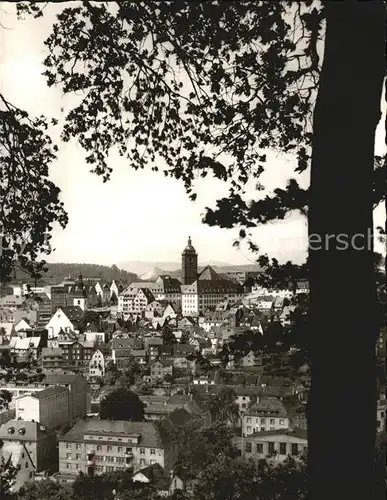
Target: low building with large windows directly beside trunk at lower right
277	444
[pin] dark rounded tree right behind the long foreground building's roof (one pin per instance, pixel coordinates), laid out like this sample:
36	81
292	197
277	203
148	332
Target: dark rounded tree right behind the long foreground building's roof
122	404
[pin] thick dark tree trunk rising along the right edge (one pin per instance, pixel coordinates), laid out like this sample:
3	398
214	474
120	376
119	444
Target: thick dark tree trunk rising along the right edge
342	403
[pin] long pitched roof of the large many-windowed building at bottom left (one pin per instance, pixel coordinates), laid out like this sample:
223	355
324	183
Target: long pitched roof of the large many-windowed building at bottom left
149	436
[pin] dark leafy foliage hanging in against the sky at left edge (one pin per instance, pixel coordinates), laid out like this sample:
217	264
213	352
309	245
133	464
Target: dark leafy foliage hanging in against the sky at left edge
29	201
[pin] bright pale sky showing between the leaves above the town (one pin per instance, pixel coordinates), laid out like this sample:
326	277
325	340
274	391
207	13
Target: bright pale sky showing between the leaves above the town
137	215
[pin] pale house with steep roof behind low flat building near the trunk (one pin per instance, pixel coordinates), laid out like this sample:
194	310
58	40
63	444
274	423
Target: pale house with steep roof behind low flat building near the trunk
266	414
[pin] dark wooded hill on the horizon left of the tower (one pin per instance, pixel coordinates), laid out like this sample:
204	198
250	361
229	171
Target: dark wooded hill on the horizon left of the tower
57	272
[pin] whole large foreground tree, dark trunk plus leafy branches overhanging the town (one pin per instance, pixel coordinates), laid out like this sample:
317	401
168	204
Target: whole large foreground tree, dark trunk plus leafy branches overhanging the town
251	74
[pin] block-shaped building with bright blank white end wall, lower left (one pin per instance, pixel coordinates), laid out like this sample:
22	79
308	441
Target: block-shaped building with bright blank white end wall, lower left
49	407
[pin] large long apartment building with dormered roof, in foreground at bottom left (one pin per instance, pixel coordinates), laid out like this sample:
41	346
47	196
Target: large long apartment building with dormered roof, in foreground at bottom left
99	446
